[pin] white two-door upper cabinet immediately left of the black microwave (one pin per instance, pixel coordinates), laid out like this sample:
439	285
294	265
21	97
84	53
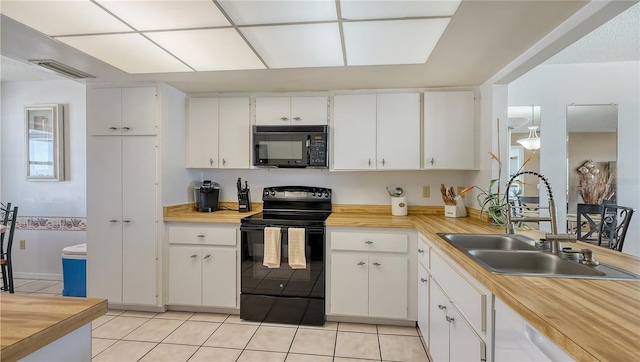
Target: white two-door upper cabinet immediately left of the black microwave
218	133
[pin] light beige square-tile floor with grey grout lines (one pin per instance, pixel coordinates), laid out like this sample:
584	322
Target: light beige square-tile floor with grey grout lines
185	336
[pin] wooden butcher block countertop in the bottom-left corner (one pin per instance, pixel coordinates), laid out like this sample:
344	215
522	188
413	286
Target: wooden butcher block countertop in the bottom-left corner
28	323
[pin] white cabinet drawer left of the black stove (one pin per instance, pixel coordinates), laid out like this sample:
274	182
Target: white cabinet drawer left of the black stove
202	235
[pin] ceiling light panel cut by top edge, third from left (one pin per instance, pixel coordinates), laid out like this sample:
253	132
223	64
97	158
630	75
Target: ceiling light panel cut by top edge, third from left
278	11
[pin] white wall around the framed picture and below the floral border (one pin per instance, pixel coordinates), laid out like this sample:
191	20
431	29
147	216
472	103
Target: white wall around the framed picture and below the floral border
41	258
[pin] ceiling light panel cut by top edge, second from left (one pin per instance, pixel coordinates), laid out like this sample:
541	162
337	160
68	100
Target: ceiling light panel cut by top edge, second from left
164	15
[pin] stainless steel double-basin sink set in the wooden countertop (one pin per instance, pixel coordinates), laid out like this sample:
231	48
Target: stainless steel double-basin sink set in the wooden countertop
518	255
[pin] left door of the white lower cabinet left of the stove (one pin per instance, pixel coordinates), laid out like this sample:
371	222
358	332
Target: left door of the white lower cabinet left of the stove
185	275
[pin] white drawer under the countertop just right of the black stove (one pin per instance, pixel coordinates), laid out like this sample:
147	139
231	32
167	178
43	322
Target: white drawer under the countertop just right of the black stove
369	242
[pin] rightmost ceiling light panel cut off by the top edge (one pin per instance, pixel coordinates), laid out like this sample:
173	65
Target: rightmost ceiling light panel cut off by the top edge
375	9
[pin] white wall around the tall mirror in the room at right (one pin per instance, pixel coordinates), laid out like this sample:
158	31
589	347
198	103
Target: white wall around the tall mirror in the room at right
553	87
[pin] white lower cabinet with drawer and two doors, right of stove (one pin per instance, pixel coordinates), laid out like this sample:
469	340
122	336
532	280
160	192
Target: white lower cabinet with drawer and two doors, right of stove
370	275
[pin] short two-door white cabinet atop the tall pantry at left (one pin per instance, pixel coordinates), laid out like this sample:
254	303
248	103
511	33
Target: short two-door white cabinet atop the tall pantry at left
122	111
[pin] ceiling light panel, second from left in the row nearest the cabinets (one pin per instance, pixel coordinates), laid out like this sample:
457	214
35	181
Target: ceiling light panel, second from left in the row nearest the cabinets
210	49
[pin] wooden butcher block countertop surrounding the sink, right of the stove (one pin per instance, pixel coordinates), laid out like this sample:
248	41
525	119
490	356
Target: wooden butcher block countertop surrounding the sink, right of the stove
588	318
